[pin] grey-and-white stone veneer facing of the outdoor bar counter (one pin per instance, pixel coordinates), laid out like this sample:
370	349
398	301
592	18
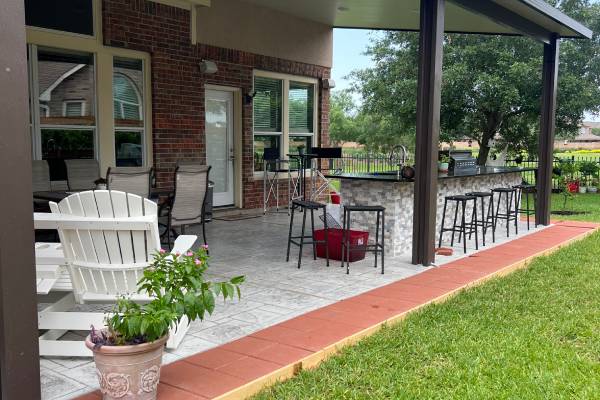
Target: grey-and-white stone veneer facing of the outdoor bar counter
397	198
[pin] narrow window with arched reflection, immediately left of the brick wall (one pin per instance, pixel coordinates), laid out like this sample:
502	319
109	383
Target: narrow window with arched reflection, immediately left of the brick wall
128	110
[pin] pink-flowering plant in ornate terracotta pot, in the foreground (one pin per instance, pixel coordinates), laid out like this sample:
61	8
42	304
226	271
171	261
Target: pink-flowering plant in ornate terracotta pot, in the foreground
128	353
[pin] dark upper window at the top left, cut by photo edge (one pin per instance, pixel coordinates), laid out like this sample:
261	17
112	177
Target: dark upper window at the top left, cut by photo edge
74	16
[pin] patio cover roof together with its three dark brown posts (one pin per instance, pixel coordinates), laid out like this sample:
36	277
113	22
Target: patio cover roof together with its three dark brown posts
19	364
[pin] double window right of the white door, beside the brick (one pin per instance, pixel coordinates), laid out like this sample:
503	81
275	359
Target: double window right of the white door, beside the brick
278	96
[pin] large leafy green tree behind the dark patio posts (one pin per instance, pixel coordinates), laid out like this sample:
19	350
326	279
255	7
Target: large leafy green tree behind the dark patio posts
491	85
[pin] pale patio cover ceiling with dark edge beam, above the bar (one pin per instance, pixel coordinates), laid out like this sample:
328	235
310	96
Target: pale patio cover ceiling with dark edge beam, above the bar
508	17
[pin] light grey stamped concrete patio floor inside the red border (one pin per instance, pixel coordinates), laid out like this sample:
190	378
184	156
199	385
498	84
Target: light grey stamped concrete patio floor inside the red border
274	291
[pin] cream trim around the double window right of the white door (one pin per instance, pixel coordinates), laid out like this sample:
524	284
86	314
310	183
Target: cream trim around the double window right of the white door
285	123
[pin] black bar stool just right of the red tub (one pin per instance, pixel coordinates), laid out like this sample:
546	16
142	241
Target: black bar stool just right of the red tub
377	247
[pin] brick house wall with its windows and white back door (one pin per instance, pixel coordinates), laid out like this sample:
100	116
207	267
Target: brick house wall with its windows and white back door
131	82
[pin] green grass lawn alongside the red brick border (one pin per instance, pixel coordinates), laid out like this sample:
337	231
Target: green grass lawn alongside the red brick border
532	335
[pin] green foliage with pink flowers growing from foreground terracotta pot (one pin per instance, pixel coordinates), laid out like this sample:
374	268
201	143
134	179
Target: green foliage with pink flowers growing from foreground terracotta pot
177	287
